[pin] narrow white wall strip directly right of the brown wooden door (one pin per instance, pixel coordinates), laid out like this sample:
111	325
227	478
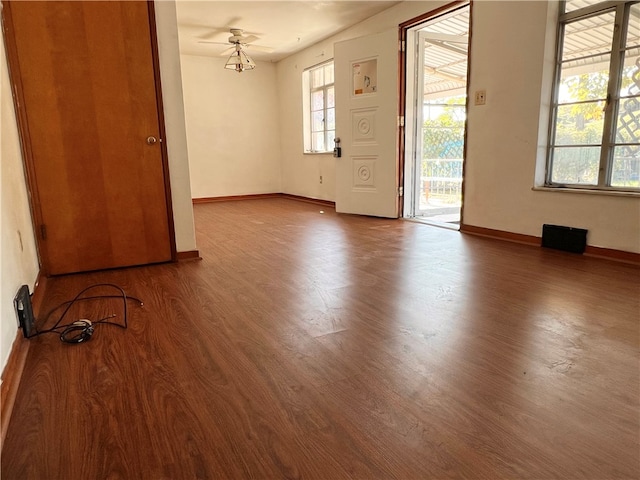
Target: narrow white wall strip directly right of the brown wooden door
169	57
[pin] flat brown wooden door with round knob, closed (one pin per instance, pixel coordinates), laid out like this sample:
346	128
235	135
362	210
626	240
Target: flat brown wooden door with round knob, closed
84	77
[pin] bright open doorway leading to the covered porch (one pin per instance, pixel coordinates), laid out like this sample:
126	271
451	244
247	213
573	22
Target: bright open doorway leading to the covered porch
436	104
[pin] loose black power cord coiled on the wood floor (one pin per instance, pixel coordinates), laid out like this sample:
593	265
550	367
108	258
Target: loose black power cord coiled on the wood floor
81	330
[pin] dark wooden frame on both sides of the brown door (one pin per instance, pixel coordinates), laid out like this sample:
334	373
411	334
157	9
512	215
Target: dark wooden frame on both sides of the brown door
15	78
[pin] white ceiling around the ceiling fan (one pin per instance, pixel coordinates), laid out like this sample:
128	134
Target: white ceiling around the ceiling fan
286	27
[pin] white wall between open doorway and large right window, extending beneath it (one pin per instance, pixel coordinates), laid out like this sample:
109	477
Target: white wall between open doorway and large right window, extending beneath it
509	49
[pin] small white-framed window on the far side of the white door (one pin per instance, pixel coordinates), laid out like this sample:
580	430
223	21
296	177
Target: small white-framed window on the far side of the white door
307	90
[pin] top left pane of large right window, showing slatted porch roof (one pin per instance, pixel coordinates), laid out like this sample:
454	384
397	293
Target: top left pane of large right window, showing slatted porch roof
588	37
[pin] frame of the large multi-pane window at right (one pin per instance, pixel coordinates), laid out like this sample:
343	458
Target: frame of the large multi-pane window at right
612	101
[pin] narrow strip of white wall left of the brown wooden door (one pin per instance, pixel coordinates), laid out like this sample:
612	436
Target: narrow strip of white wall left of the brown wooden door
18	257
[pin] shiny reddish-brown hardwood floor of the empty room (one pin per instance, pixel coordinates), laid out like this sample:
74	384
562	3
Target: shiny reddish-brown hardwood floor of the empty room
307	344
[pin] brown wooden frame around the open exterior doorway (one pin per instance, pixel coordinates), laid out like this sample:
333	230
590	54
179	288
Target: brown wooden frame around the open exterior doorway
405	29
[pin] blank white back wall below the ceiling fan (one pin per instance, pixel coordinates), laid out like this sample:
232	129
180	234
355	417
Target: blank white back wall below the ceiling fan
233	130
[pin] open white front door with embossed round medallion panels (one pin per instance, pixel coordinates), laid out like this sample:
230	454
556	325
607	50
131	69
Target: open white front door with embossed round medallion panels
366	82
